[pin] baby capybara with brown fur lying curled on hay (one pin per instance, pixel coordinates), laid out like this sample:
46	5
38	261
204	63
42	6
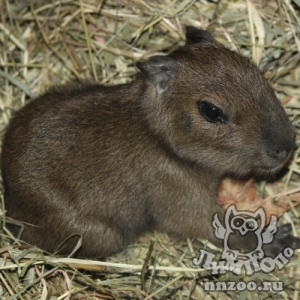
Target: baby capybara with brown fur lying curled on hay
110	163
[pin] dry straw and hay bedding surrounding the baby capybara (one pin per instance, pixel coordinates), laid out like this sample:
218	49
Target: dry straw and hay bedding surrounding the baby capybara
51	42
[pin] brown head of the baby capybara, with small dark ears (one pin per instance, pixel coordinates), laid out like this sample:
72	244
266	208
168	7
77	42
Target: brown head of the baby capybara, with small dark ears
215	109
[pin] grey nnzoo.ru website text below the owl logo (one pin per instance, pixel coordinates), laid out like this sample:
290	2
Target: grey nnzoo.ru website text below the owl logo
242	285
